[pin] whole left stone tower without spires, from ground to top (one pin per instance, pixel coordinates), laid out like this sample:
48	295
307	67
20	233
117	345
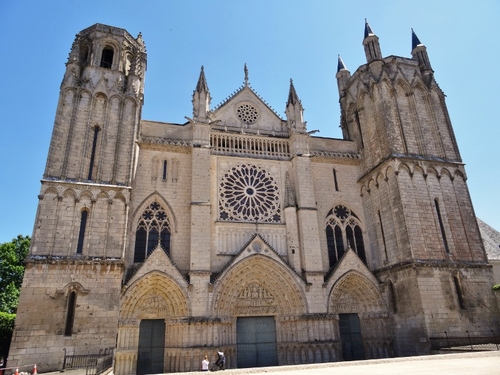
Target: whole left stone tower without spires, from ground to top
79	236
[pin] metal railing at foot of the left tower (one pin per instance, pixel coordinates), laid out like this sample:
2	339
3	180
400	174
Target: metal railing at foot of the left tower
94	364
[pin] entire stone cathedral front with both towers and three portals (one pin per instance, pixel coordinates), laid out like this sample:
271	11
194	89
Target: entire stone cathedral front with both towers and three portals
241	231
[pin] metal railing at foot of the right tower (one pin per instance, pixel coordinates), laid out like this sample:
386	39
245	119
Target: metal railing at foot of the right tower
466	340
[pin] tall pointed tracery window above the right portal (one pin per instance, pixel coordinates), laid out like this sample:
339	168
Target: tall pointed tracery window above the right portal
343	231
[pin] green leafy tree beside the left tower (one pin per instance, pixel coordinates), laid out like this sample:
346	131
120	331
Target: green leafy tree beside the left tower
12	256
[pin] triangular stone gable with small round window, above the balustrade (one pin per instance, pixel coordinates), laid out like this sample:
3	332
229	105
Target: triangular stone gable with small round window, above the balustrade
245	110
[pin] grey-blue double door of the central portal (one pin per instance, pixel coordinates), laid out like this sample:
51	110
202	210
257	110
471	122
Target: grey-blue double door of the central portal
256	341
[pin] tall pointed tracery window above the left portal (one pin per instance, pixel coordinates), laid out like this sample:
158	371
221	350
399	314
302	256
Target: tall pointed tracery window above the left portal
152	230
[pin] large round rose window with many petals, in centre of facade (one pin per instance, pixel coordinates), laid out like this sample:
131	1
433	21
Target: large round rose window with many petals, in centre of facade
249	193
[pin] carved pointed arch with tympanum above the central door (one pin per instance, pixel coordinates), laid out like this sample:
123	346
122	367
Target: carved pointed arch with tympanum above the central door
257	286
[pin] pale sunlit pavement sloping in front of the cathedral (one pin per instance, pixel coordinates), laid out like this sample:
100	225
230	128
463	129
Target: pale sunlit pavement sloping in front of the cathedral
472	363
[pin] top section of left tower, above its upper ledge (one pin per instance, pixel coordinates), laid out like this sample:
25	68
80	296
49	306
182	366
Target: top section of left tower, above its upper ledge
99	108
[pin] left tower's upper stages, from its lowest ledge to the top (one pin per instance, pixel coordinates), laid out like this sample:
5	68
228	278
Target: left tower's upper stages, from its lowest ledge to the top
93	150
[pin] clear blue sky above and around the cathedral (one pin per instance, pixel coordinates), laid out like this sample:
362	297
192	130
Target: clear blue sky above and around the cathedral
278	40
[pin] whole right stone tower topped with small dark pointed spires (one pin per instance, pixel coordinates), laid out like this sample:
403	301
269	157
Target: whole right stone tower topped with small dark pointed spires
425	244
